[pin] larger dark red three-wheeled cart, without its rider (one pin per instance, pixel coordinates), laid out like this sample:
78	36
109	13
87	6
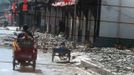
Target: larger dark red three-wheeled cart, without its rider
24	53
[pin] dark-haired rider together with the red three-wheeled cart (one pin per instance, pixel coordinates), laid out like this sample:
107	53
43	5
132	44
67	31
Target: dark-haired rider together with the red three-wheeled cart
24	50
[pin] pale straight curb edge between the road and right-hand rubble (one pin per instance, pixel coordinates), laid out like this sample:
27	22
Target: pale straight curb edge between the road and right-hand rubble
94	67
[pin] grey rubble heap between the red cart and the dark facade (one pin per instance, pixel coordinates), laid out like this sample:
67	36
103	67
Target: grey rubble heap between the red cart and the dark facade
48	41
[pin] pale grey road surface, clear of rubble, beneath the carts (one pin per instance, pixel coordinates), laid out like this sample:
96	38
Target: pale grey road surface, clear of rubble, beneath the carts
44	66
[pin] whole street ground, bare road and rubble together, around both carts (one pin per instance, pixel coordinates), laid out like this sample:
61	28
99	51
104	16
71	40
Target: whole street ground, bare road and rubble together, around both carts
92	61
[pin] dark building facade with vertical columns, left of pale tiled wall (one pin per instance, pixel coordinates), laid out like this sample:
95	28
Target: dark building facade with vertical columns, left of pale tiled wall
77	20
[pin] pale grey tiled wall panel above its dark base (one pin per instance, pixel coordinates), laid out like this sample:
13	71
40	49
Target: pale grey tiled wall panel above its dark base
117	20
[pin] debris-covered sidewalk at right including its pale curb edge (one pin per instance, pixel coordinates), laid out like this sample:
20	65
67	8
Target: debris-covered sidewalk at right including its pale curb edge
109	60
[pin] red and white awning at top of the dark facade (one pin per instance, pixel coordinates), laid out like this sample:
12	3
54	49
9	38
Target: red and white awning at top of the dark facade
64	3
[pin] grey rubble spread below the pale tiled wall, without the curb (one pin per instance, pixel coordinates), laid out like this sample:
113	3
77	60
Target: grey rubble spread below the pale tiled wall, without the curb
119	62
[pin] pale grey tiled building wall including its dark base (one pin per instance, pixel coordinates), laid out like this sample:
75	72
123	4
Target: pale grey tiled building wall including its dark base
117	23
